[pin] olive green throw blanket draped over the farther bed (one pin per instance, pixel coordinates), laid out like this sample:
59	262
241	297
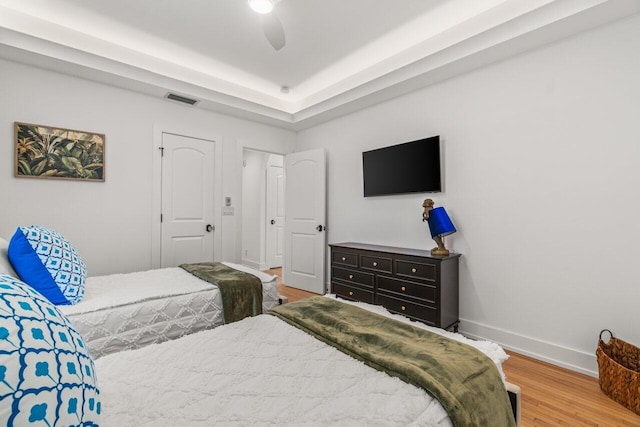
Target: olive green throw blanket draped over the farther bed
241	292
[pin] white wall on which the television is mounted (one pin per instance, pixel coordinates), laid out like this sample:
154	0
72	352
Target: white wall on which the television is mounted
541	157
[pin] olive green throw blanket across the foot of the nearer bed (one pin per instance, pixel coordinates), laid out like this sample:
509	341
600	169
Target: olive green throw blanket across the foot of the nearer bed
464	380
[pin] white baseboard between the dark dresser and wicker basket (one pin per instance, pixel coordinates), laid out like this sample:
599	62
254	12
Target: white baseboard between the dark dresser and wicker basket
565	357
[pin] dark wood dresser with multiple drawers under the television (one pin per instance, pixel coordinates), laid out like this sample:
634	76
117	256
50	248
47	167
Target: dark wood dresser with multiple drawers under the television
410	282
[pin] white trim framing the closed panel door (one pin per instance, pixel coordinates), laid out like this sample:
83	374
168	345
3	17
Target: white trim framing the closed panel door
156	208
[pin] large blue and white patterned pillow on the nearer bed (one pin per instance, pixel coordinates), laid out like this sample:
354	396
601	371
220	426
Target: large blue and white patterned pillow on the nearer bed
47	376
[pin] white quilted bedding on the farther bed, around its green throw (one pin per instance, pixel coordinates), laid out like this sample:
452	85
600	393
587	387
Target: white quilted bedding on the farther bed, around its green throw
131	310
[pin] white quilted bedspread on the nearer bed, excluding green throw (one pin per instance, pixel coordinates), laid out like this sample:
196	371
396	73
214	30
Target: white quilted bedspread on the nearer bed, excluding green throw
225	377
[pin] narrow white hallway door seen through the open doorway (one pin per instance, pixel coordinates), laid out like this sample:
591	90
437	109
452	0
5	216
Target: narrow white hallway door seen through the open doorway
275	216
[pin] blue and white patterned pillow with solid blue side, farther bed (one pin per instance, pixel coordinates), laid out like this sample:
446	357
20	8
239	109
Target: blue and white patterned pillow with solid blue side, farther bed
45	260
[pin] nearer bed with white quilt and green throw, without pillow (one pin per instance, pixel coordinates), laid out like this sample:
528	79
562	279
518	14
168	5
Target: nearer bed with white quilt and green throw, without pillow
268	371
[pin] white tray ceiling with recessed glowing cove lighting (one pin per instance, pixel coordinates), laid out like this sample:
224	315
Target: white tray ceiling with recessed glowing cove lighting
340	55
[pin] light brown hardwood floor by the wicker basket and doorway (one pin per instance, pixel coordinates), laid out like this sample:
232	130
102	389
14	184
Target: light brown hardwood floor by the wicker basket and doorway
551	396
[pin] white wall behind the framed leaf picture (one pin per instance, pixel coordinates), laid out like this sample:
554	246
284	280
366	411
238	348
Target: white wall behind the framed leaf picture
110	223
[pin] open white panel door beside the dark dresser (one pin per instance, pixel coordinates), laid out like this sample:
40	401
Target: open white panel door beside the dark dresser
305	200
